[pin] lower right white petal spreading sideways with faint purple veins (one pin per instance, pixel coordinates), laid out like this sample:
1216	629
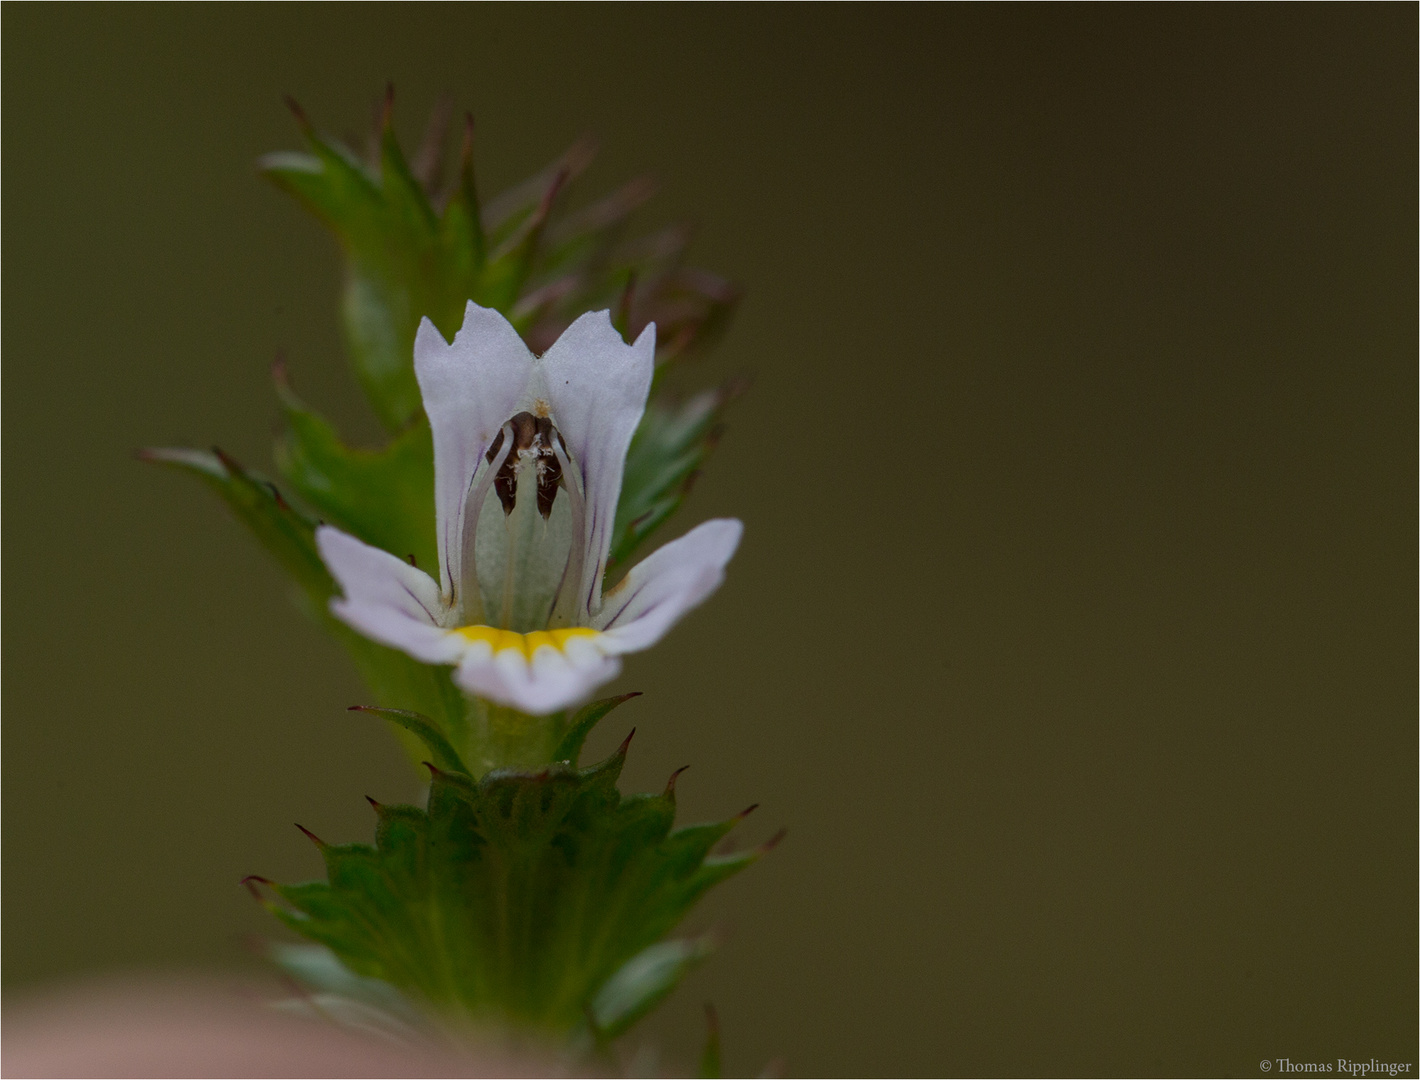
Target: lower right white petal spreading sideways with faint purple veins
667	585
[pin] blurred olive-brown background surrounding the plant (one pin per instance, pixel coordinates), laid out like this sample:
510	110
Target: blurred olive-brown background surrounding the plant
1073	637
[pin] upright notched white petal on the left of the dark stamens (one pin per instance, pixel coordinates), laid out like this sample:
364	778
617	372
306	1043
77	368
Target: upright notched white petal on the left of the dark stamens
471	390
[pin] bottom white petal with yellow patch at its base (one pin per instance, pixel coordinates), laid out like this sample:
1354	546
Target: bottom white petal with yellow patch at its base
552	682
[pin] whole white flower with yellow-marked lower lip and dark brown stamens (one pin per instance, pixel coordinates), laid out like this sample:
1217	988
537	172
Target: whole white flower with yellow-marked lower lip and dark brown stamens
529	458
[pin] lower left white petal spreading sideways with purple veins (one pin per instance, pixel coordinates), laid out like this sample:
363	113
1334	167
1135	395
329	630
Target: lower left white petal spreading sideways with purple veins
387	600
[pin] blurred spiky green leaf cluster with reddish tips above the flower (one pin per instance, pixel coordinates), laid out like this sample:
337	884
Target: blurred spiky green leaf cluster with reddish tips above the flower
420	248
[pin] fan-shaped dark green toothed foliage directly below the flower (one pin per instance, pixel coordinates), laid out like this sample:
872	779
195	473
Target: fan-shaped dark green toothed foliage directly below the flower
529	898
